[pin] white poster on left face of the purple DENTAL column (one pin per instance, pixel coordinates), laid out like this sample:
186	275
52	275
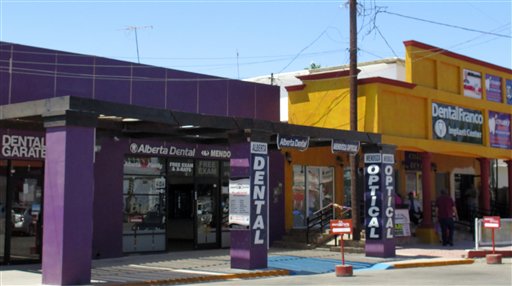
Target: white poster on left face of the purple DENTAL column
239	202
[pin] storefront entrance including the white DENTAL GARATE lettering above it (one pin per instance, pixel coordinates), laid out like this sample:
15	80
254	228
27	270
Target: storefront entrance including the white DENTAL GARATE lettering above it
21	197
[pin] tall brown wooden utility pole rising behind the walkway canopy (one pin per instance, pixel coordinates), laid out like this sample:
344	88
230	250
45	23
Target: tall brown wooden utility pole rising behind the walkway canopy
354	196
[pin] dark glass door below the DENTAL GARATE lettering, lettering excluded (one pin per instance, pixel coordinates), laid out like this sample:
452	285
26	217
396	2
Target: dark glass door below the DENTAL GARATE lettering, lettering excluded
21	201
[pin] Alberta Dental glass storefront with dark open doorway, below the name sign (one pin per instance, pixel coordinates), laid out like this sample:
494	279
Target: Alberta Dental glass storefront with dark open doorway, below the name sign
175	204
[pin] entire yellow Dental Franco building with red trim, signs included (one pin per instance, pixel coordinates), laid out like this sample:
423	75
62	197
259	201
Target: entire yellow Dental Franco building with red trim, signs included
449	120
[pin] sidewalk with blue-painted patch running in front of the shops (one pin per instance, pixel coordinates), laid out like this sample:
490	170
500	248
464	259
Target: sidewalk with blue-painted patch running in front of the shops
210	265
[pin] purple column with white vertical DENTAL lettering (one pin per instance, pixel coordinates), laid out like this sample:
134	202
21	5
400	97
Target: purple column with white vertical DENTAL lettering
249	242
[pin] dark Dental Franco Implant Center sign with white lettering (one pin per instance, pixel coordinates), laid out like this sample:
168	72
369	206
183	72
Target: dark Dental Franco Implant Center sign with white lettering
454	123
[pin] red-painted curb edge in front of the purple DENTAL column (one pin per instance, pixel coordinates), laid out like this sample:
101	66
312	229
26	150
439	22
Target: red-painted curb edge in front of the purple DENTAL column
209	278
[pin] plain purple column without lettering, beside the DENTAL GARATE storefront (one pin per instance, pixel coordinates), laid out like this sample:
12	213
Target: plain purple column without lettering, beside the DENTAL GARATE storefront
68	197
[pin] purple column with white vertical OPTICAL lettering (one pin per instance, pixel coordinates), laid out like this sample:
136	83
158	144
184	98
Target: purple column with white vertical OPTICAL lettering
379	200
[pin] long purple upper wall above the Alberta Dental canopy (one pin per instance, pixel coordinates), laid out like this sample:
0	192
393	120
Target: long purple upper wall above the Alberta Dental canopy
42	73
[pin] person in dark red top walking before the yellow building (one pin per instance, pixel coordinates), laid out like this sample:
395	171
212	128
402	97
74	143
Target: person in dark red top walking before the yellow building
446	212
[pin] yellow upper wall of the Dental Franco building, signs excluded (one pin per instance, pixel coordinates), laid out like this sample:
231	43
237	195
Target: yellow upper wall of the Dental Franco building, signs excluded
400	113
